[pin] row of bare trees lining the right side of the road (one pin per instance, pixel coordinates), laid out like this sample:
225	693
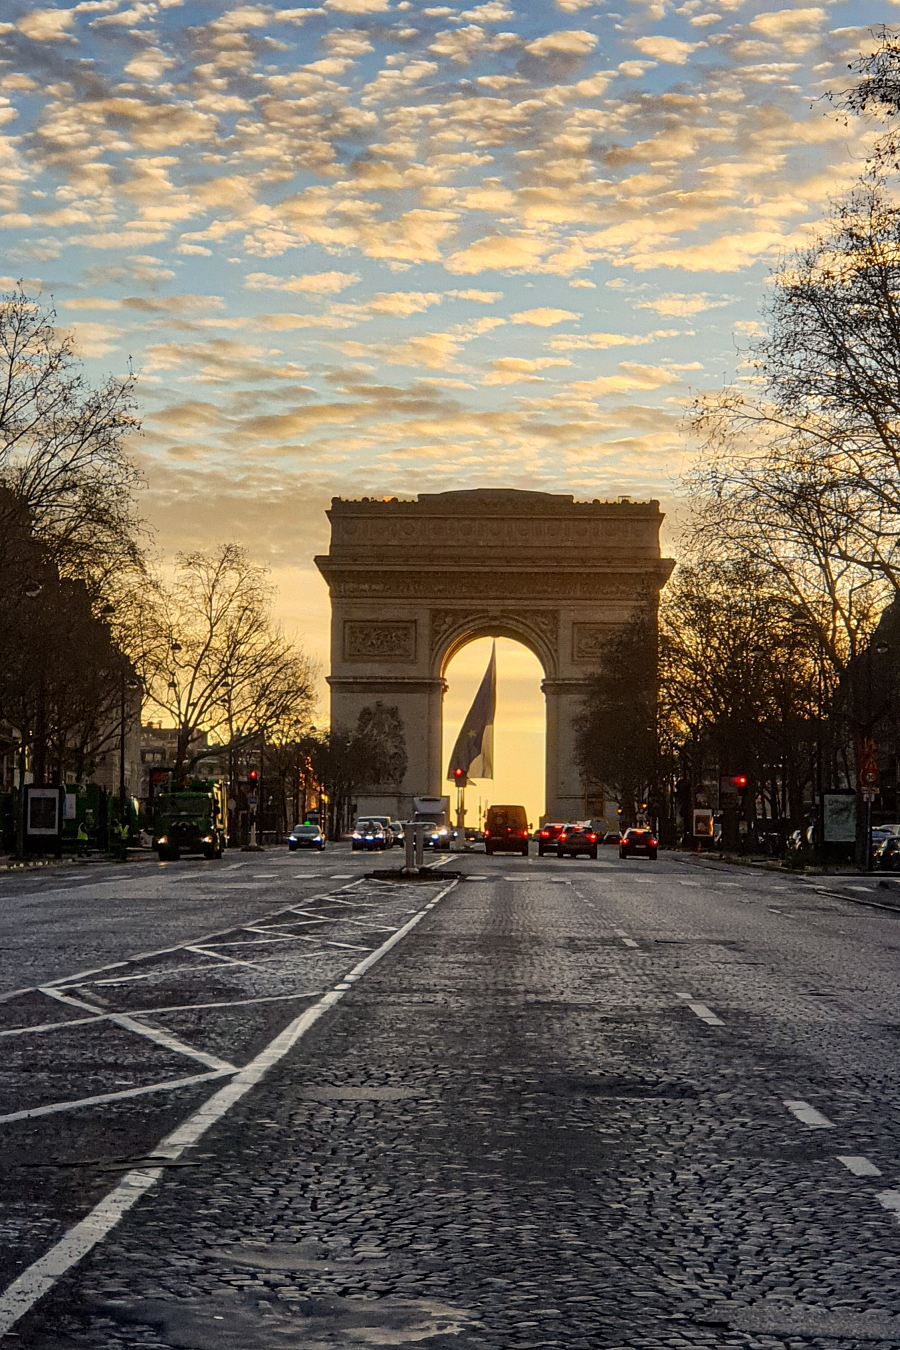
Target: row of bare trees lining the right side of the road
791	556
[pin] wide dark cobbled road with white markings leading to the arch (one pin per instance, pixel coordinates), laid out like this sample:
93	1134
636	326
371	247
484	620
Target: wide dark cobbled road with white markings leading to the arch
554	1104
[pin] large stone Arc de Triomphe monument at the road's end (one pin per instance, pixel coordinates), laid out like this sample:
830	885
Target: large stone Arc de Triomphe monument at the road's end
412	583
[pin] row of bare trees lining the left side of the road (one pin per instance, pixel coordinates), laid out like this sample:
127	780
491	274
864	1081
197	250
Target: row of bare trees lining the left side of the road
88	626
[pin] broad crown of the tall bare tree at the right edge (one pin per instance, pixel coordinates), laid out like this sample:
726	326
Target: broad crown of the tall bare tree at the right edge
802	462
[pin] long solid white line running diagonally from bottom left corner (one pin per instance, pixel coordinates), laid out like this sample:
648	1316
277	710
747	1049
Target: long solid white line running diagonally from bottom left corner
44	1274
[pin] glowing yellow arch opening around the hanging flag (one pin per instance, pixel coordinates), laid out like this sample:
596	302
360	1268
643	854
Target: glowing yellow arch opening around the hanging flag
520	727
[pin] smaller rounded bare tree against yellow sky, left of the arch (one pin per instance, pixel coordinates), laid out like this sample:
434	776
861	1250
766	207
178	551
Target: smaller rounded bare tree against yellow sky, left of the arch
213	659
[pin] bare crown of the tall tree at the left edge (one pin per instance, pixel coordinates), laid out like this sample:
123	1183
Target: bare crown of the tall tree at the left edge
63	446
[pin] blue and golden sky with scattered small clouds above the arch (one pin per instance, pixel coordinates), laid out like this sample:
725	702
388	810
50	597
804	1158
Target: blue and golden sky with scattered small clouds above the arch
380	248
